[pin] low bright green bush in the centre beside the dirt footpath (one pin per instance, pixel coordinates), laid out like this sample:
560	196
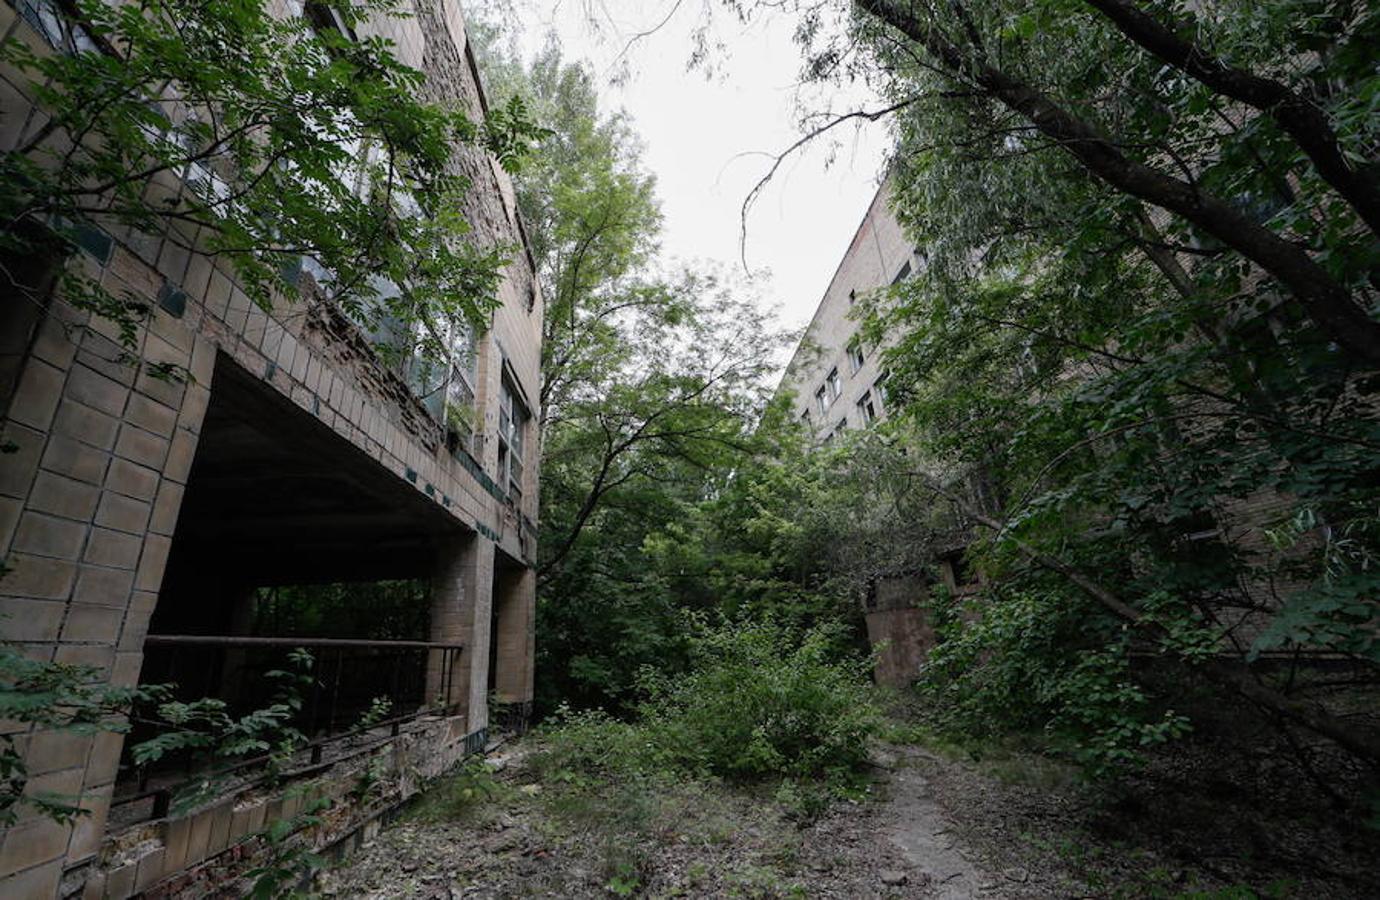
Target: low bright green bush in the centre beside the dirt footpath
756	705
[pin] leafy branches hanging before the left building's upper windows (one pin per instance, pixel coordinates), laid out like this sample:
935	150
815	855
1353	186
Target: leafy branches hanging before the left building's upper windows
234	133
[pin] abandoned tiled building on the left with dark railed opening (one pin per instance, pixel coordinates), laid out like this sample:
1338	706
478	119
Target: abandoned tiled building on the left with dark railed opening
146	521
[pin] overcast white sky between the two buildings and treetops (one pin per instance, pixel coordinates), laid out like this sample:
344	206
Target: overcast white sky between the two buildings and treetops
706	139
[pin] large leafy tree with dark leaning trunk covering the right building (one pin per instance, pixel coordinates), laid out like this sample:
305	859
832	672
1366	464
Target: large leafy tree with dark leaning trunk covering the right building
1138	349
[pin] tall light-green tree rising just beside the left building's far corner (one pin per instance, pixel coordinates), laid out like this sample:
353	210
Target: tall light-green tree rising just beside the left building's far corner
652	384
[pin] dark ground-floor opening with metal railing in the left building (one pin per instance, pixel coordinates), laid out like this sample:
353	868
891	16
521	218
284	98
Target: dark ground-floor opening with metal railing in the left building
290	538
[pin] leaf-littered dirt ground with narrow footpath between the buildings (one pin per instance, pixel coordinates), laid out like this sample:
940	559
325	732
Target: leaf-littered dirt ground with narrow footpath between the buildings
939	823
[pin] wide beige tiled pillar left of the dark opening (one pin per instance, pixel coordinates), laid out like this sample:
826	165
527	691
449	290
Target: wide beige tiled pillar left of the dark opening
89	503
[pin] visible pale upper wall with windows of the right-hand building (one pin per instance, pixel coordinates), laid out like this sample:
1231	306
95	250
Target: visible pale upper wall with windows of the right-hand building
837	378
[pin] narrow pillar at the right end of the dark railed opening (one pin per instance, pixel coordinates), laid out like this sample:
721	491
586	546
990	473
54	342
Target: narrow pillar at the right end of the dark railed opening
462	608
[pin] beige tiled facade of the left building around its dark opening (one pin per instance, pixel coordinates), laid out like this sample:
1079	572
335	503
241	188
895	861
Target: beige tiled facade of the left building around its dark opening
92	498
